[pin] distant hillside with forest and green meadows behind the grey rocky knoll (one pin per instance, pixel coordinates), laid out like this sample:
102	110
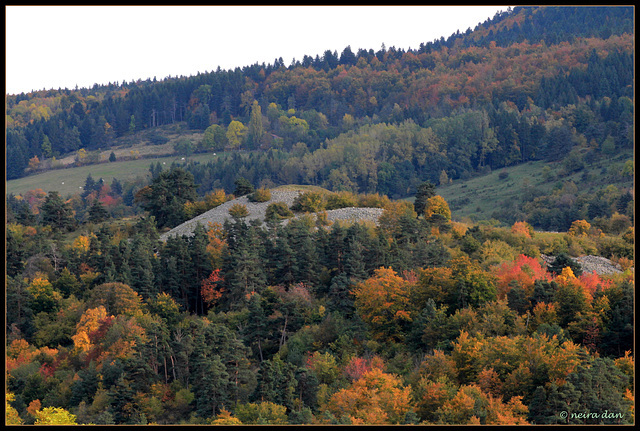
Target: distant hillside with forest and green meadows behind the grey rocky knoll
530	88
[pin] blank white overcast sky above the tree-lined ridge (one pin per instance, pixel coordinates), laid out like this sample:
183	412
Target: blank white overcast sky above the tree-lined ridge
64	46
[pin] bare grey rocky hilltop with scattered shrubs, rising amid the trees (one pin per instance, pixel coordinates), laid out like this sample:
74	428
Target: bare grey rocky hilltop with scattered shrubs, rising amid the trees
257	210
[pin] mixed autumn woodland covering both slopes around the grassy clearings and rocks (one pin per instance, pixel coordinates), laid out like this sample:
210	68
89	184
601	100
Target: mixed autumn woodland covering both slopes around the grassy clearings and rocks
419	319
